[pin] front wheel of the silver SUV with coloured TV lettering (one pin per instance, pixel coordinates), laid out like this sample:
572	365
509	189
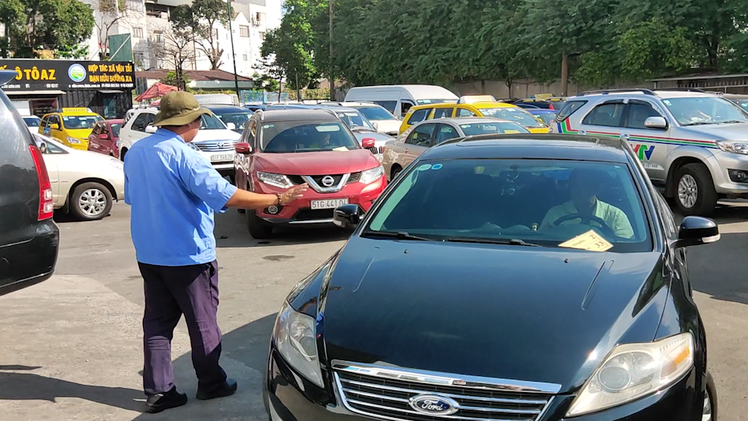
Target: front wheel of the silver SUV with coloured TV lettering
693	190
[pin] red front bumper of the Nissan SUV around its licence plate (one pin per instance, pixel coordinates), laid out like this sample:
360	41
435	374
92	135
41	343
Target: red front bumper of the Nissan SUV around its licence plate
300	212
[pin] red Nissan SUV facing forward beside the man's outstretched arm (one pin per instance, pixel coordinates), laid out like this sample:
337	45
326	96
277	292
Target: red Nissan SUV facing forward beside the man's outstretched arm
283	148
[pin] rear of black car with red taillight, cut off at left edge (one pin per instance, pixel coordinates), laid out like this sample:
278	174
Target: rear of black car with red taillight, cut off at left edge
29	238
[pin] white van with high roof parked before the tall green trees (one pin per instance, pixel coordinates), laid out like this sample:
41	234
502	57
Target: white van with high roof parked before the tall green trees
397	99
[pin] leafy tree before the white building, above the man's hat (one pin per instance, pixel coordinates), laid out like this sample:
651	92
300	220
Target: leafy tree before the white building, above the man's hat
200	20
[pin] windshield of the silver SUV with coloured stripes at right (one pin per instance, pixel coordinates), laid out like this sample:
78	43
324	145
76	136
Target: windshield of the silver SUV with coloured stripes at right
705	110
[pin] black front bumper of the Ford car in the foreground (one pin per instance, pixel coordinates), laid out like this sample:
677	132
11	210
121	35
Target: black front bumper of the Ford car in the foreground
290	397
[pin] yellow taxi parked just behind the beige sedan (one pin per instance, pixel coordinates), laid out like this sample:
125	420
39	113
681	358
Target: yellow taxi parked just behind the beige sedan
475	106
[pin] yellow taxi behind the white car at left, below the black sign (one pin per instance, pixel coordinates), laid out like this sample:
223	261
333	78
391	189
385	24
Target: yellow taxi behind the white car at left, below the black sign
71	126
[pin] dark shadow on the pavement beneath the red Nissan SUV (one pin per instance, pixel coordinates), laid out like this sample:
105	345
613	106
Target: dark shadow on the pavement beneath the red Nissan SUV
231	231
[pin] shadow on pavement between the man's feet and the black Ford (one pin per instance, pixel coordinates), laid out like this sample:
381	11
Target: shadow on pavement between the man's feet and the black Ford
244	358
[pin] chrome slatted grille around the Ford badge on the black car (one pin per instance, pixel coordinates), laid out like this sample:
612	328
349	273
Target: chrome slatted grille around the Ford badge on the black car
385	393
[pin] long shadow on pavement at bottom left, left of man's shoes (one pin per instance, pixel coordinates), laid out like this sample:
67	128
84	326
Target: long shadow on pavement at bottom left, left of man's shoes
16	386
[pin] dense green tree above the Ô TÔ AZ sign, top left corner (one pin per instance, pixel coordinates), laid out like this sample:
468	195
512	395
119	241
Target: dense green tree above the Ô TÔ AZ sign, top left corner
35	25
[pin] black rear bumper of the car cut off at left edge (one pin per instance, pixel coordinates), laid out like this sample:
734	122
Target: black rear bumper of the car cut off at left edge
28	263
